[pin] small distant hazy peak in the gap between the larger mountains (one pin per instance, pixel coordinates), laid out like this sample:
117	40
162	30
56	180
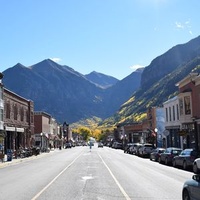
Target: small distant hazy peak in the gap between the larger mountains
101	80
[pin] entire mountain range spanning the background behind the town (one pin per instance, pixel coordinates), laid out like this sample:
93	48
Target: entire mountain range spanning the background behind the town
71	96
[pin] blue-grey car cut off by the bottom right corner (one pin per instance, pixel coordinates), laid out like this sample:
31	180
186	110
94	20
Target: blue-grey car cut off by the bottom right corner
191	189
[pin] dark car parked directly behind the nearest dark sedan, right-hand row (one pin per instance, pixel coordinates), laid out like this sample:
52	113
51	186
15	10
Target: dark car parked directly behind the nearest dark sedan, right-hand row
168	155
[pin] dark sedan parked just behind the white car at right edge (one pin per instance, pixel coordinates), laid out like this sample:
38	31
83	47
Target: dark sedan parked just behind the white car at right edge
185	159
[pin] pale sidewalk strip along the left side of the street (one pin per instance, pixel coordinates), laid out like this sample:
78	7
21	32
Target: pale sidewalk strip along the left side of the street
20	160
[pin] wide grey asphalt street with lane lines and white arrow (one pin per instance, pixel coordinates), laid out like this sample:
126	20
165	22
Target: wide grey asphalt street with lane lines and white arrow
81	174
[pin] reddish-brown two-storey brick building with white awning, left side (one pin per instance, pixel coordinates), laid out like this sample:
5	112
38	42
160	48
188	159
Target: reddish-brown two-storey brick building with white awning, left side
18	121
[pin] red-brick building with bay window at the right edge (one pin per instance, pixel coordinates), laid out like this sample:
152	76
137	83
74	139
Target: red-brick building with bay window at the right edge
189	99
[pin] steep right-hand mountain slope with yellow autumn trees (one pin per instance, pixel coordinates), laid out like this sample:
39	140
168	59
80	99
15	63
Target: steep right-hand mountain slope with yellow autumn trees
158	80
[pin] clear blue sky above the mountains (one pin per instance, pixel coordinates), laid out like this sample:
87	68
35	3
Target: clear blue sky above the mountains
113	37
